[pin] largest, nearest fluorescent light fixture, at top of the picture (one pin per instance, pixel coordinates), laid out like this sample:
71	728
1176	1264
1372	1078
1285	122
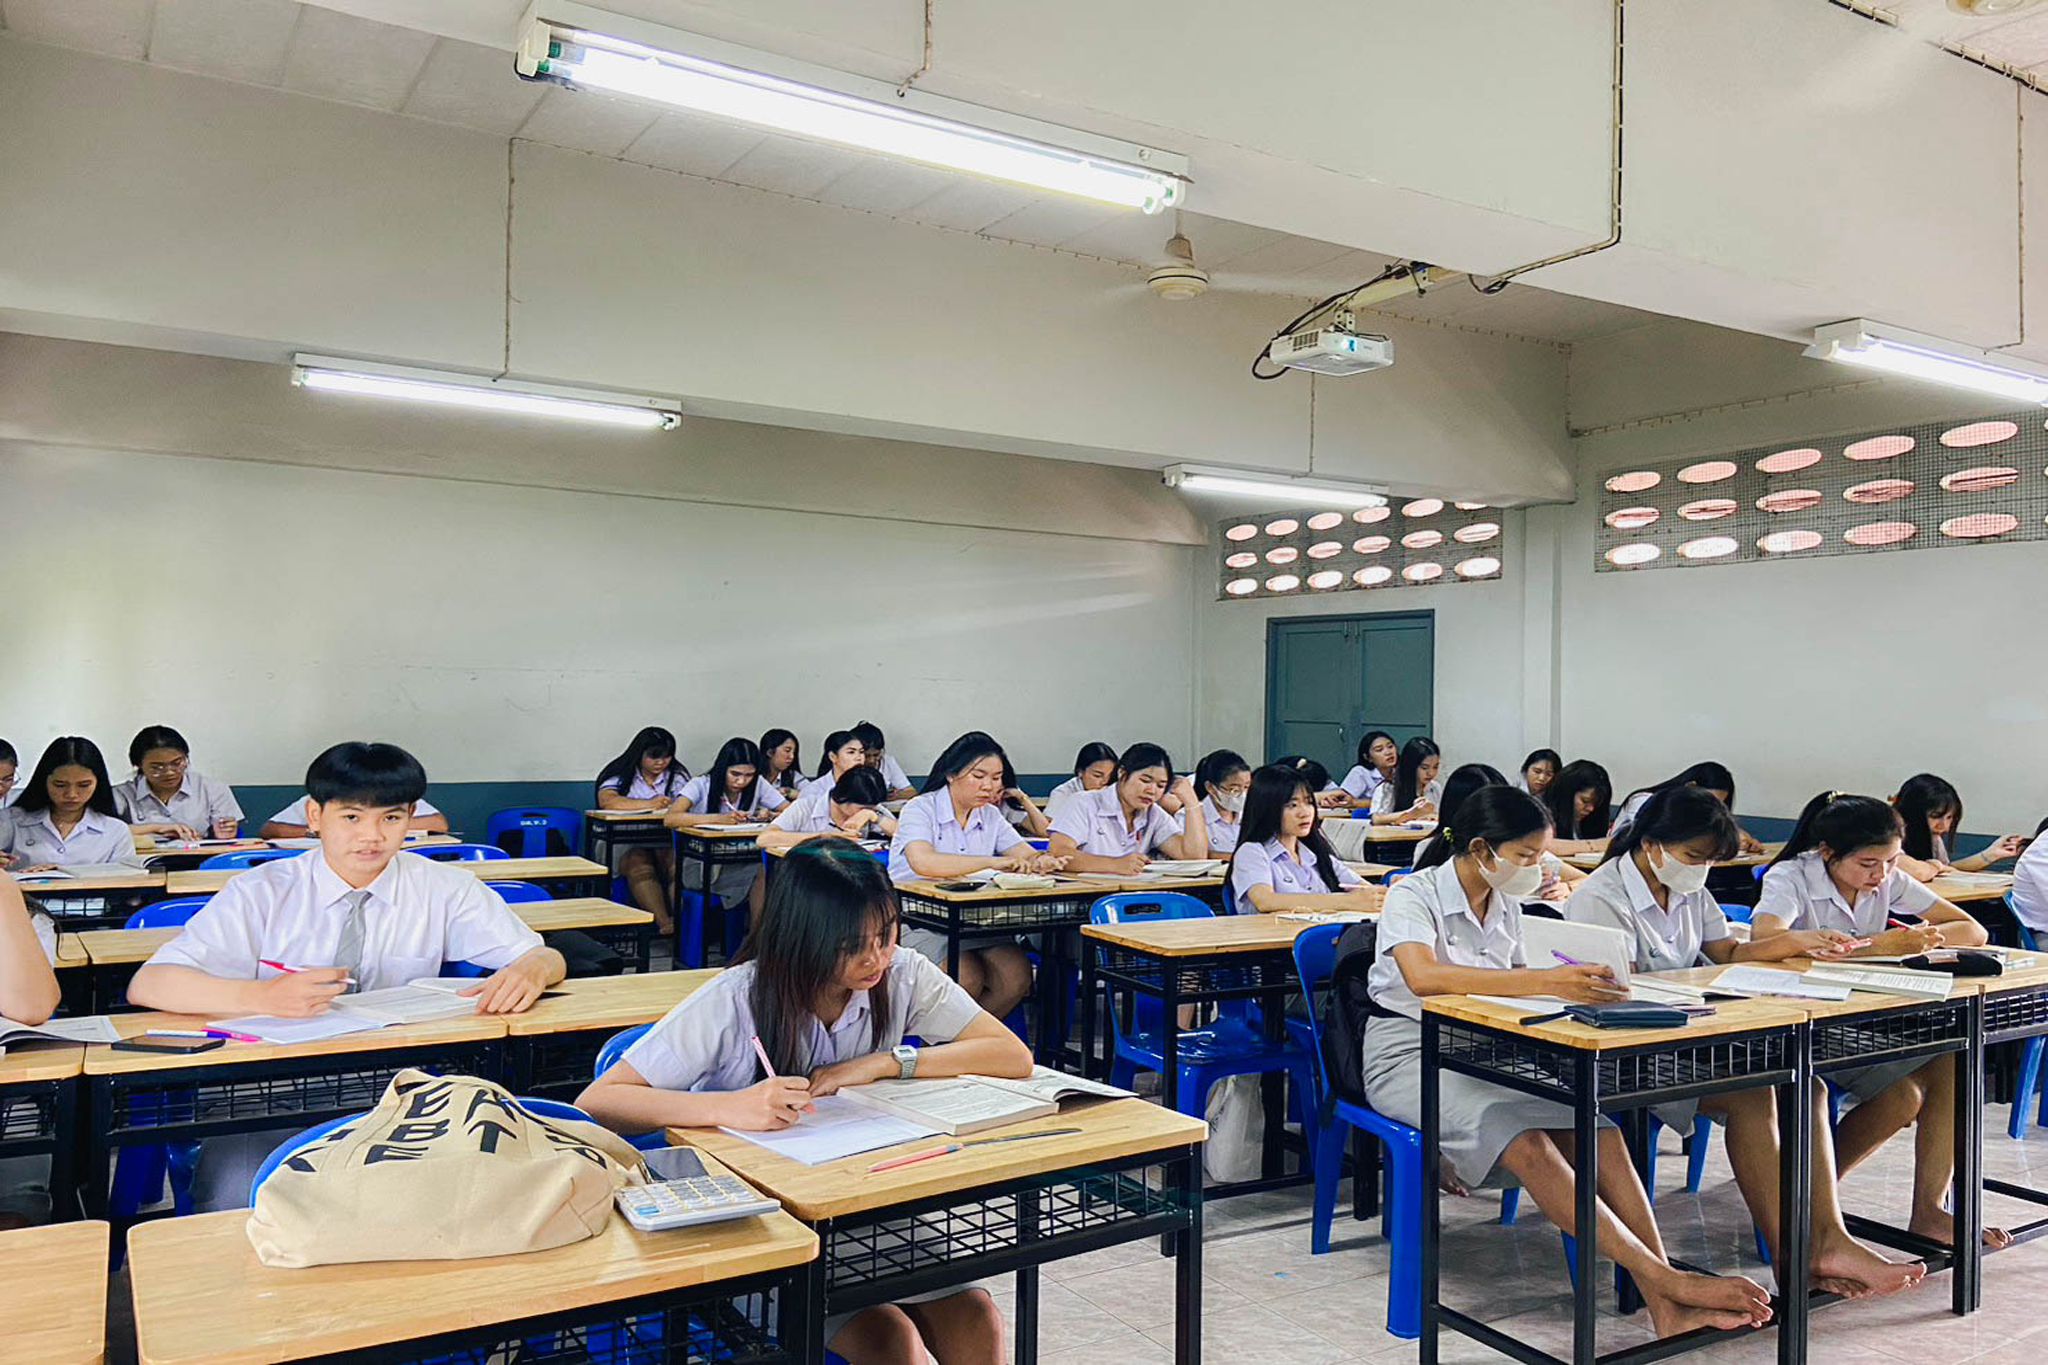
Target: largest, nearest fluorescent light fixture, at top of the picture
581	46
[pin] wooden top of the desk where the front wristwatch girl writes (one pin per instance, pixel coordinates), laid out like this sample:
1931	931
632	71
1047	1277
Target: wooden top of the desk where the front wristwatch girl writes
1111	1129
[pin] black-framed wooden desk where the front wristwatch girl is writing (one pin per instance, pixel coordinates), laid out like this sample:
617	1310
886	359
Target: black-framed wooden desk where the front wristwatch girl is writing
1132	1174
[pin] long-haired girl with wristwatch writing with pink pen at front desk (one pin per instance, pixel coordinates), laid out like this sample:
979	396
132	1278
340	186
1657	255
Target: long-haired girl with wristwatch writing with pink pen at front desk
830	1000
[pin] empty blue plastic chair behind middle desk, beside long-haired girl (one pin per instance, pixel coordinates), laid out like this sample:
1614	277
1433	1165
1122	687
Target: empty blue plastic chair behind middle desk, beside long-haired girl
1203	1057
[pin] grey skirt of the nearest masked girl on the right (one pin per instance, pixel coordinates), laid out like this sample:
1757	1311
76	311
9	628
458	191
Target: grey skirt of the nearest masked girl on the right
1478	1118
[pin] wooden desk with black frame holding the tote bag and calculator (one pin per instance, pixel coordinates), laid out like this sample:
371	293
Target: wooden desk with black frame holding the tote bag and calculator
202	1298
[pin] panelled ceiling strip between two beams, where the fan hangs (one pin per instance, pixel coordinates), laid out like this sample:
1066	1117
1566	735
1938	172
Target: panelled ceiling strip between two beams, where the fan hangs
335	56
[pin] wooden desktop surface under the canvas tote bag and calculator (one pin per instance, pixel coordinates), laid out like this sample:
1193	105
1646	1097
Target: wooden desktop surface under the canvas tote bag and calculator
202	1296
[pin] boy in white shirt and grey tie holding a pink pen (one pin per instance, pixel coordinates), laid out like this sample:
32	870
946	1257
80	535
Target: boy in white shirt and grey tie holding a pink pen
357	914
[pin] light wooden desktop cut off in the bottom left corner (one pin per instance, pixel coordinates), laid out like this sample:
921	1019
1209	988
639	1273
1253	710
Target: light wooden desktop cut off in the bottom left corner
54	1294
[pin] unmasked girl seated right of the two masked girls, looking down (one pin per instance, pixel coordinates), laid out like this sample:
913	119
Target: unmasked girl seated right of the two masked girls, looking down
1840	871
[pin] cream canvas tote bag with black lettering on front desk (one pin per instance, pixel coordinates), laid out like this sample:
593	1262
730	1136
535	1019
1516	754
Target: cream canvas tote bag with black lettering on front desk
441	1170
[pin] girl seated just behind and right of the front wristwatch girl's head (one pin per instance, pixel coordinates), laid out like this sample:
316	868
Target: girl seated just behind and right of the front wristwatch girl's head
953	830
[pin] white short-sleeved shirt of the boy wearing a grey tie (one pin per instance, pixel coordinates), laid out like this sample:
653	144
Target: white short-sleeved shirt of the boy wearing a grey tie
292	910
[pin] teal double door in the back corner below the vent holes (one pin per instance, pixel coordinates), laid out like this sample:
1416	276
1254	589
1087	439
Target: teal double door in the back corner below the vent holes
1334	678
